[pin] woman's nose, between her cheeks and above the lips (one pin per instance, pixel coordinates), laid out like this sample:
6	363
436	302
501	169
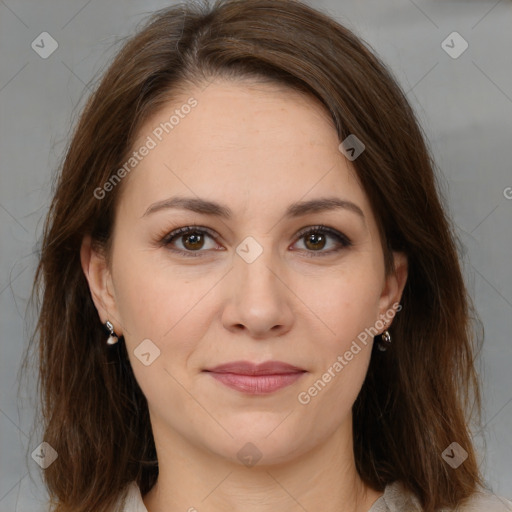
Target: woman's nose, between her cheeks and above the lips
258	301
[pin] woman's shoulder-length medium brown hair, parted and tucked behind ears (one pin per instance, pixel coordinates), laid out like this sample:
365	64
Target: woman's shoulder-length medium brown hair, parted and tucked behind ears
418	396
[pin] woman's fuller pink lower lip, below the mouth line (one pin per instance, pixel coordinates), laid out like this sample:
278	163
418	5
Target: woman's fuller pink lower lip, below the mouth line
256	384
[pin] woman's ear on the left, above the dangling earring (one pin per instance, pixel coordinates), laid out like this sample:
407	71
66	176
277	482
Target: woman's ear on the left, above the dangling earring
98	275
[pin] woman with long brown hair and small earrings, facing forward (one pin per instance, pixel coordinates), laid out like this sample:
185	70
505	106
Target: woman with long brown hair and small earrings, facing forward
251	297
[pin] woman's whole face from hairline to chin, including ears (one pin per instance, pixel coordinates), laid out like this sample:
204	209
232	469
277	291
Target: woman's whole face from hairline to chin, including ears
246	284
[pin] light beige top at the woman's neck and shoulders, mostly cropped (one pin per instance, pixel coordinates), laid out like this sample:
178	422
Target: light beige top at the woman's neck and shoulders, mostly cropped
394	499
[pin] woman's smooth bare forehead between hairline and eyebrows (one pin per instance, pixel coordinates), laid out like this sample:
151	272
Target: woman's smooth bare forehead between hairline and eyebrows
243	144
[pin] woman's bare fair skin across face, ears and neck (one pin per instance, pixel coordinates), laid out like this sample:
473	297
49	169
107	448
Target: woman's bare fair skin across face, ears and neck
255	148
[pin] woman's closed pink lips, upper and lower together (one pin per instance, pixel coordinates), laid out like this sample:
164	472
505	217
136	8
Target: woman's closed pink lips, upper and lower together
256	379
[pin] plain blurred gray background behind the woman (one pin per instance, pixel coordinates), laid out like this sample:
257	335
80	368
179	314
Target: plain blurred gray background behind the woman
464	106
